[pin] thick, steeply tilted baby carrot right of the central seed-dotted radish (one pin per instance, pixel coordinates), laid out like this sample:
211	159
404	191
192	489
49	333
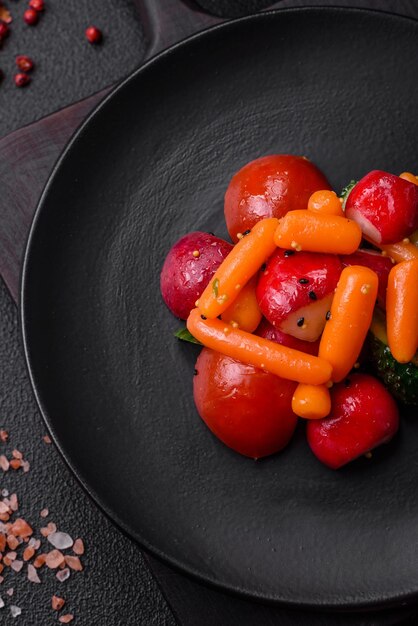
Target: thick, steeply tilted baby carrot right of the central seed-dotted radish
350	318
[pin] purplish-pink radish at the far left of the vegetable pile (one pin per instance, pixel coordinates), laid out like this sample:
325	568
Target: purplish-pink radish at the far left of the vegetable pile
188	268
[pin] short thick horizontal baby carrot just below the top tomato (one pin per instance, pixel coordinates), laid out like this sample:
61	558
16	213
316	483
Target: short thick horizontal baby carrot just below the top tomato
316	232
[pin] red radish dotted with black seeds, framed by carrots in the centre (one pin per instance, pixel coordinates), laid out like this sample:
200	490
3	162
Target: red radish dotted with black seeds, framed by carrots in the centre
296	289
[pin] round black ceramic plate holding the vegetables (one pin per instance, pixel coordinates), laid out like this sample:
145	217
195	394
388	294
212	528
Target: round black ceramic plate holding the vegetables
115	387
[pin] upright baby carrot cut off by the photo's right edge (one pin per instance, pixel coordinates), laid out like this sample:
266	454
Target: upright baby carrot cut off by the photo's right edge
402	310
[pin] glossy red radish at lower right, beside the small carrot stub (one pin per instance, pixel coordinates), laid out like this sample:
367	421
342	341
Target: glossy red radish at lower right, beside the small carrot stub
363	416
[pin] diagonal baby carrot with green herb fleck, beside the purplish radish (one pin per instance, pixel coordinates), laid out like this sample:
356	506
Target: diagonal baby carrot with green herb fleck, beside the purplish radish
244	260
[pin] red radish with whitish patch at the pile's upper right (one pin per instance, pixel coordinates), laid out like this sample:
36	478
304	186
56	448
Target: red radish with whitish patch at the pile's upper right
385	207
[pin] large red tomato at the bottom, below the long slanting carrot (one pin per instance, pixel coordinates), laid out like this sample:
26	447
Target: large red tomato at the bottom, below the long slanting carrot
248	409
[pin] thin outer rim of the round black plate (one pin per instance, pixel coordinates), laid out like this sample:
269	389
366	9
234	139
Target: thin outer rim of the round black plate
386	601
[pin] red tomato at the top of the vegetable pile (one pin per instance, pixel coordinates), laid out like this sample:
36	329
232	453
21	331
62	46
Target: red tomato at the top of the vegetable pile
270	187
